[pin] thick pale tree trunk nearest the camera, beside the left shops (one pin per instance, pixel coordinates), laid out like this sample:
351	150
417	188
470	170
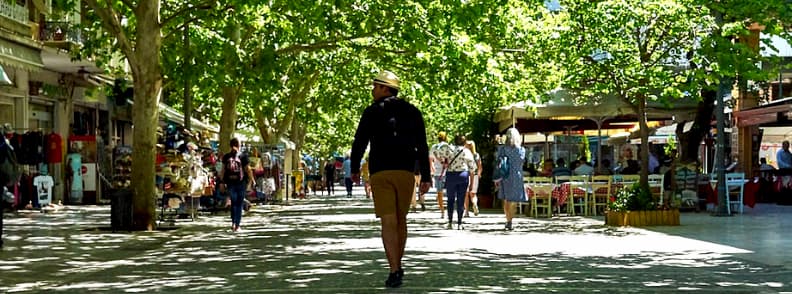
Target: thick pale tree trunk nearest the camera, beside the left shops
147	72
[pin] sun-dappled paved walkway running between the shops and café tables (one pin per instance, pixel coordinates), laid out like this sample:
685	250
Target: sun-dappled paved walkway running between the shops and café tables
332	244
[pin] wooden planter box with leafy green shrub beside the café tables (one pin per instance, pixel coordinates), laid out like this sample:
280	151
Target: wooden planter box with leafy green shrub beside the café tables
635	206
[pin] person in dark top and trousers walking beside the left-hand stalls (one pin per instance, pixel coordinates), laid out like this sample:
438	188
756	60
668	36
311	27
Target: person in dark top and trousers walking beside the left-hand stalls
236	177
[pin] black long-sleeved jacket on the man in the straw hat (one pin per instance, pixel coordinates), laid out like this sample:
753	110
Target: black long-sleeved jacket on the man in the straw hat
397	135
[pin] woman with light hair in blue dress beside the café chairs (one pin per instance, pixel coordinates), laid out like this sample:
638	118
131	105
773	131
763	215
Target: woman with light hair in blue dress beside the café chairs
510	188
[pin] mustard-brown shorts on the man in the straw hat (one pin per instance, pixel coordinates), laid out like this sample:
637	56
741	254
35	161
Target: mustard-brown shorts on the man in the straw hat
392	191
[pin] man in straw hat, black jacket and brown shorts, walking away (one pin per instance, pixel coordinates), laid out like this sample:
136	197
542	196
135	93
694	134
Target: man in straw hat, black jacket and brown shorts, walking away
397	135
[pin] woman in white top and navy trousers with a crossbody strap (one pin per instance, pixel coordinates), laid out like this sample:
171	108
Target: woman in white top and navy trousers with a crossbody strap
458	165
